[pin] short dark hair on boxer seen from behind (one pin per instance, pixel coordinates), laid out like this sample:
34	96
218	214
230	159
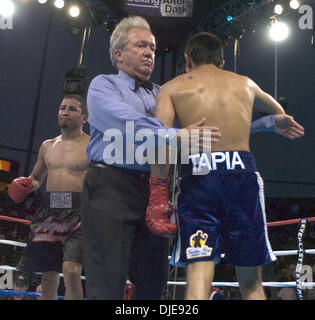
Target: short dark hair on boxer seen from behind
205	48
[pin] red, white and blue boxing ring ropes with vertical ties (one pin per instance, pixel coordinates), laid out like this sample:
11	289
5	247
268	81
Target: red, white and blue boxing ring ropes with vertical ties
300	252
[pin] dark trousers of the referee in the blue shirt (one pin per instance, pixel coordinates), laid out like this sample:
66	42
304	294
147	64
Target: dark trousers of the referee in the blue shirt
116	241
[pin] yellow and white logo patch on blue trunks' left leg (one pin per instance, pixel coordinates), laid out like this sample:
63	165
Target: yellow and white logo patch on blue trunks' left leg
198	247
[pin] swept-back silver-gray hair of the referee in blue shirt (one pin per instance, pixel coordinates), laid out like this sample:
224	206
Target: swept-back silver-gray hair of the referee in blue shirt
119	39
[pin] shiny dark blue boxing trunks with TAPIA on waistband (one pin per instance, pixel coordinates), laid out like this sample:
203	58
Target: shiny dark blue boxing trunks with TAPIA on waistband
220	201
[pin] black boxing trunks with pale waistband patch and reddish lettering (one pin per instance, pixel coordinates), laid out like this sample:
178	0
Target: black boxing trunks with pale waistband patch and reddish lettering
55	234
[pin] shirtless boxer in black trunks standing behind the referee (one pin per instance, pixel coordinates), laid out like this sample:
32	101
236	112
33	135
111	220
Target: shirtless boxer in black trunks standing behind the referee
55	238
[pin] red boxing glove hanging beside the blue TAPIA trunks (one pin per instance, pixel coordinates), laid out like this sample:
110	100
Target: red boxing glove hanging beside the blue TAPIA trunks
160	209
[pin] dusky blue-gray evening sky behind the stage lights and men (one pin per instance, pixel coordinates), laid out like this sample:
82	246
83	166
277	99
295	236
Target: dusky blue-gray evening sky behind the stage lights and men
286	166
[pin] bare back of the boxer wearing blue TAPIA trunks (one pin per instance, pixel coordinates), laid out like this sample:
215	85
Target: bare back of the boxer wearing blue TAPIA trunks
224	98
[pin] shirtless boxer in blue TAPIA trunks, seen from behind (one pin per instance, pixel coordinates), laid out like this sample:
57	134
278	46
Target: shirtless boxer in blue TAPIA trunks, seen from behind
221	197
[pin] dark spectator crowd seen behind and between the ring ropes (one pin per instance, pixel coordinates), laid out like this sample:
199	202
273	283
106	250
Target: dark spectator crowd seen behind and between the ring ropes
281	238
